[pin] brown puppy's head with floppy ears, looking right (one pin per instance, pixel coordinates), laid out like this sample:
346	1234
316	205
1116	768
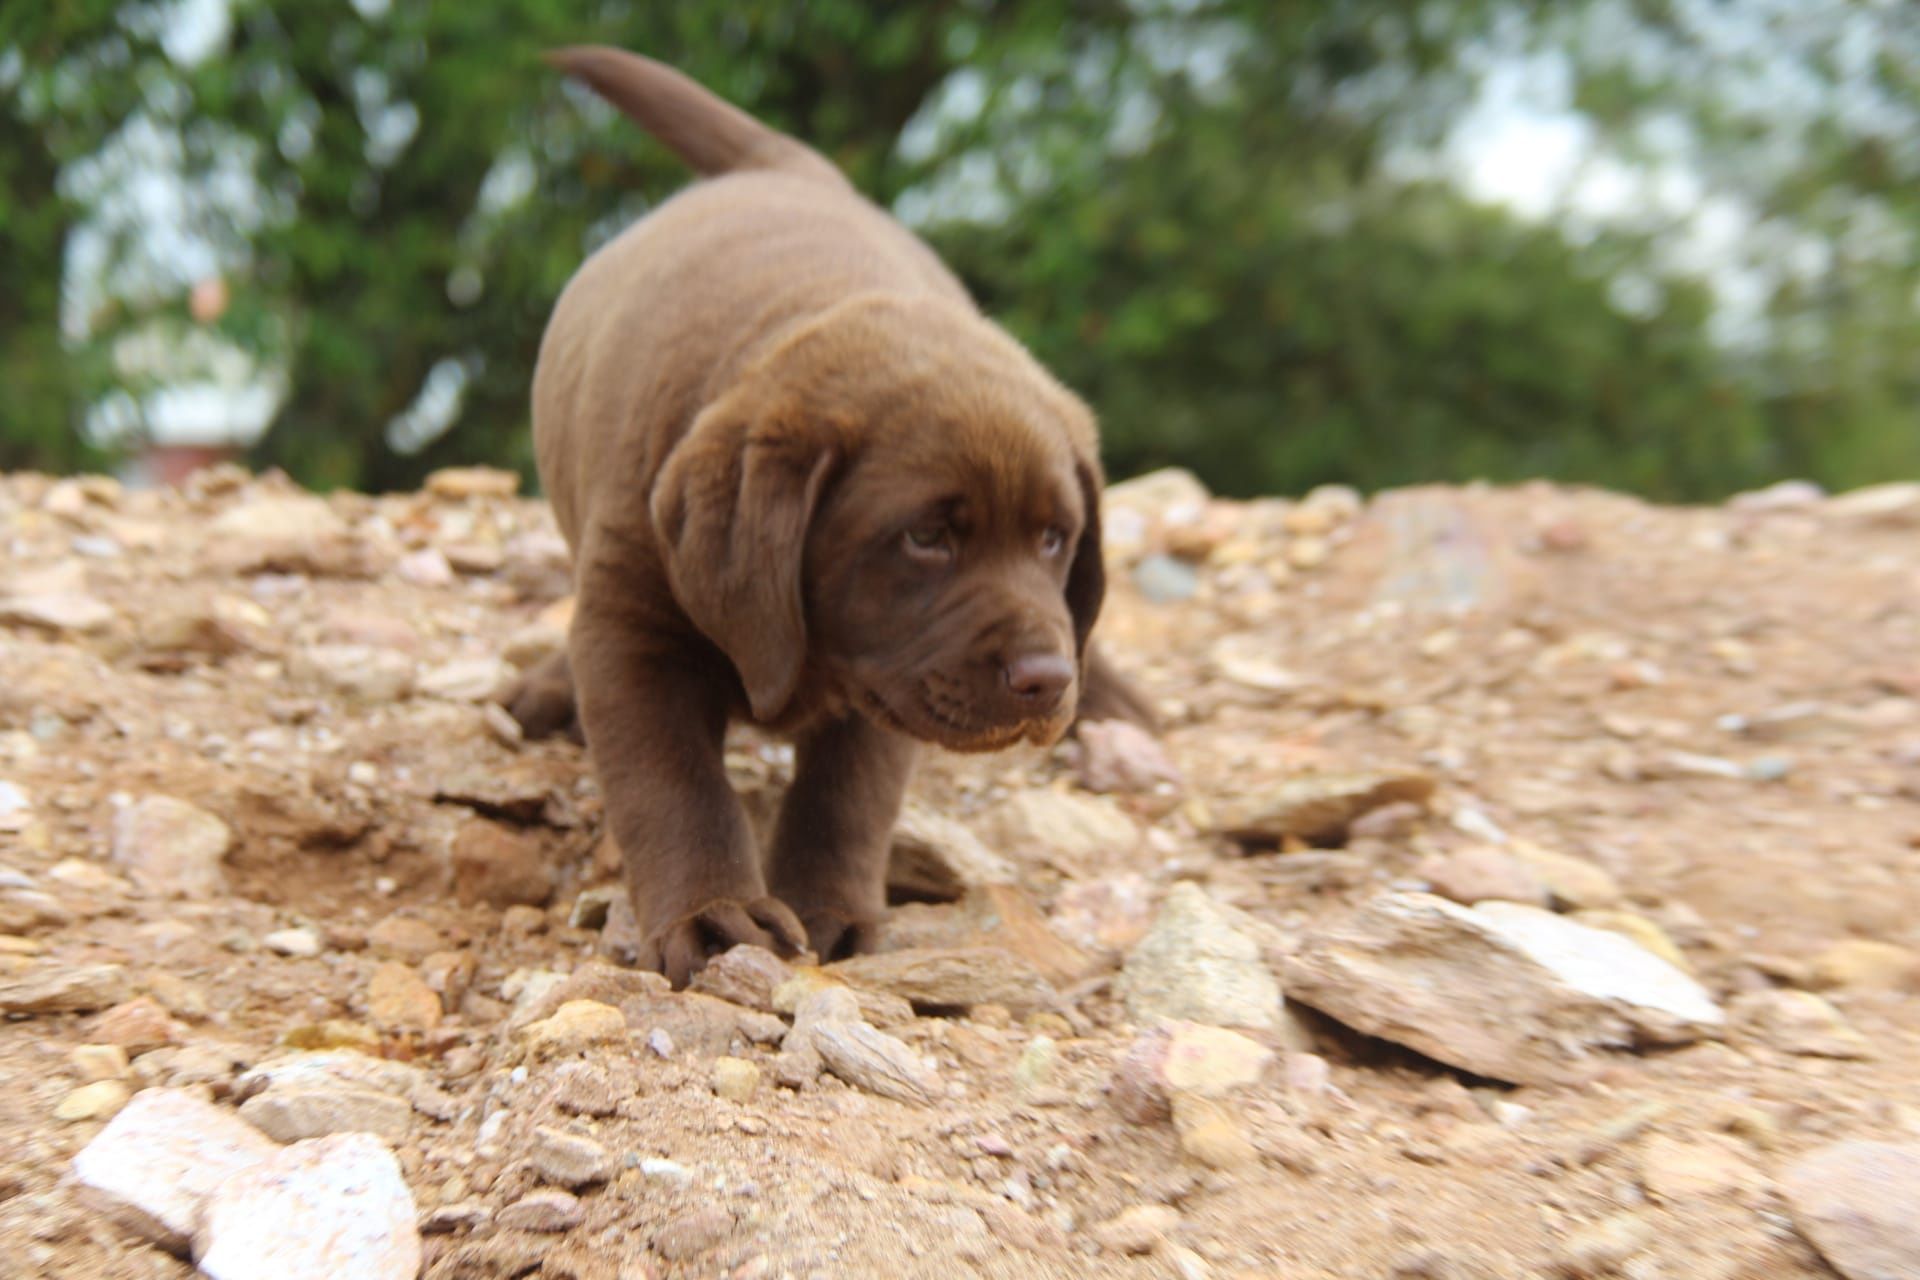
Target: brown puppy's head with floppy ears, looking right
901	502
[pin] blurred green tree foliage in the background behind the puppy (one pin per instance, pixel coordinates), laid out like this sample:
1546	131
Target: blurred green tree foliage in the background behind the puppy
1189	210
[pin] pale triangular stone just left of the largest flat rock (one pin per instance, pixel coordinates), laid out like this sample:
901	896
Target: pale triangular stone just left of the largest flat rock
1197	966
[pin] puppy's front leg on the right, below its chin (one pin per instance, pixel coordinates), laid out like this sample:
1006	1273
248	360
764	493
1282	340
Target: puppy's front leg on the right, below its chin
836	828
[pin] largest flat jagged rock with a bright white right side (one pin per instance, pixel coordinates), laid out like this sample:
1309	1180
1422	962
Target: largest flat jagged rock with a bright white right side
1502	989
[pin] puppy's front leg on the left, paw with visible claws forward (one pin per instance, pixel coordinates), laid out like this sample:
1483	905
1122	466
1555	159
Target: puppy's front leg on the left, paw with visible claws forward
658	730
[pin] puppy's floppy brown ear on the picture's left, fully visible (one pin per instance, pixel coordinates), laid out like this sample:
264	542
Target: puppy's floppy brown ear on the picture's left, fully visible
732	508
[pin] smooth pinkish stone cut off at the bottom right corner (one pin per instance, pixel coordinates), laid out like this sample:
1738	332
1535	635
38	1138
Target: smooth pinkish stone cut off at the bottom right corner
1860	1204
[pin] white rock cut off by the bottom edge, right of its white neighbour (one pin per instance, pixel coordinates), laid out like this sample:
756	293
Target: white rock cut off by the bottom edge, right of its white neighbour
314	1212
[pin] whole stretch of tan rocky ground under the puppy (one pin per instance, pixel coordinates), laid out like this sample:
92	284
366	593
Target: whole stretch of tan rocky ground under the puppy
1583	838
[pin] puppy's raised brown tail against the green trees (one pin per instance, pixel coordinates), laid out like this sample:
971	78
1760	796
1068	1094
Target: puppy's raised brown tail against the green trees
709	133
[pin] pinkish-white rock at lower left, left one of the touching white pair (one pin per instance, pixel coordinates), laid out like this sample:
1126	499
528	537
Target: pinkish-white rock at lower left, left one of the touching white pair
158	1160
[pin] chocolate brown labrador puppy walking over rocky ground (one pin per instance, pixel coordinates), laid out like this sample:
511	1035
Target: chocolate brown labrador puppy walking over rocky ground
809	485
